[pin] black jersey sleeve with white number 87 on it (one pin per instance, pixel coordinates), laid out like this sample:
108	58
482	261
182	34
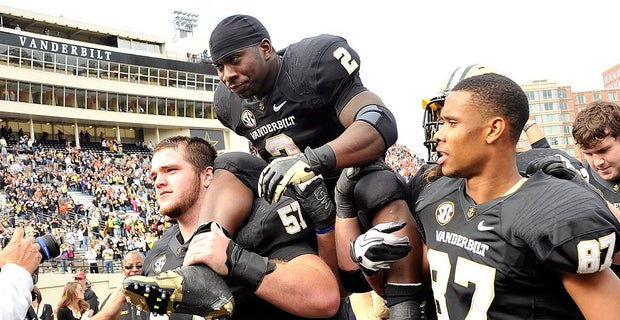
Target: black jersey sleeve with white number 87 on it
567	228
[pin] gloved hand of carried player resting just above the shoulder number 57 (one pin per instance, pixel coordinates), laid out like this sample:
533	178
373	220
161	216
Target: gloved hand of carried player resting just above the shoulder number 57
294	170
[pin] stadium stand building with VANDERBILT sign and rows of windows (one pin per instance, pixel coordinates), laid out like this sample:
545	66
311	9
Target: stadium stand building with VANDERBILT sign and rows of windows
67	82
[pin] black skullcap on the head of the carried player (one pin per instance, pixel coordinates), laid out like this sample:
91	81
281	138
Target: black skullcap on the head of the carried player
235	33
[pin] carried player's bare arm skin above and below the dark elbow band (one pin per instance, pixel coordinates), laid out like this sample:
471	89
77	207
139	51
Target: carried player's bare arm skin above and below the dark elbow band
360	143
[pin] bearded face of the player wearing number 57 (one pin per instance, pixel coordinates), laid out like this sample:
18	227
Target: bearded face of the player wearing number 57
176	182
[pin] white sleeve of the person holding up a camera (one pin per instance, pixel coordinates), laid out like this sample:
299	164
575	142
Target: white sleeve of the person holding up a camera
16	289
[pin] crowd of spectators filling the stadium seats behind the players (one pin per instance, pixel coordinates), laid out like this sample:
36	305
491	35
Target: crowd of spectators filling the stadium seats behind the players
37	184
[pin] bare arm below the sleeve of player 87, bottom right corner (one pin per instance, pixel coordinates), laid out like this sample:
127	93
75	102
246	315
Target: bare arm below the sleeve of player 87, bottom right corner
595	294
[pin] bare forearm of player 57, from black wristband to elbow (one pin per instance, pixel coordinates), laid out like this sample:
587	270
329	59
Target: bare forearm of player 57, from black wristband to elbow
304	286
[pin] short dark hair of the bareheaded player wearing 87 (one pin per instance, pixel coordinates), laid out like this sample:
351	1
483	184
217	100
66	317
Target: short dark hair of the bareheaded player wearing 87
498	95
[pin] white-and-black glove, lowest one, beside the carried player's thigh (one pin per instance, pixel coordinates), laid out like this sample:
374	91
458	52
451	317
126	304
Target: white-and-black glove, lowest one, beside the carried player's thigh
378	248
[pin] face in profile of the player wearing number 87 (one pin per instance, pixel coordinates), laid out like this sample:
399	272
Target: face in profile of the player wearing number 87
461	139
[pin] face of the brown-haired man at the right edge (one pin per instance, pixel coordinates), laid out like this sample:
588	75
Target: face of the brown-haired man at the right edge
604	158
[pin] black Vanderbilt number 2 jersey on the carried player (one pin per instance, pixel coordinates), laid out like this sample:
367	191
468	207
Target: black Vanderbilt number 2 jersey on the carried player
317	77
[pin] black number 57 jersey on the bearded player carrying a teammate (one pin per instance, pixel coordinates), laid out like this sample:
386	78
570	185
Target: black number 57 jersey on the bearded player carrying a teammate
277	231
